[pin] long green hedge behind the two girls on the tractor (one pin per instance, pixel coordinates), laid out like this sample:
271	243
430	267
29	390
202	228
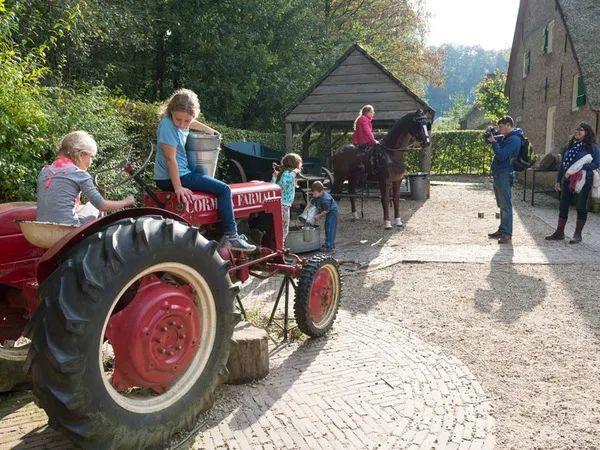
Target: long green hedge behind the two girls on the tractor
33	119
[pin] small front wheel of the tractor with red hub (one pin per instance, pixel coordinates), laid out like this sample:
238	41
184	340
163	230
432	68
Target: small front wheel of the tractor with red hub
318	295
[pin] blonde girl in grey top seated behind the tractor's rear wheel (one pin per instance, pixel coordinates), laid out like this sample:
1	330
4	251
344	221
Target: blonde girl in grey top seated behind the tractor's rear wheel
60	184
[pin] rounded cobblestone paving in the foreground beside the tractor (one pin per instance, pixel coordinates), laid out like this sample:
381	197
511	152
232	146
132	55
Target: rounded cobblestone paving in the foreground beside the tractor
369	384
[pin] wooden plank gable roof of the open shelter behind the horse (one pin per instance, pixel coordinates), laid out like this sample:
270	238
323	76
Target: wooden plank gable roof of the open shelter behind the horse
333	102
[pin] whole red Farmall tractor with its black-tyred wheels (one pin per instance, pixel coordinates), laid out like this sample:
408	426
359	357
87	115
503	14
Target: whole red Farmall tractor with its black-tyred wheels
130	317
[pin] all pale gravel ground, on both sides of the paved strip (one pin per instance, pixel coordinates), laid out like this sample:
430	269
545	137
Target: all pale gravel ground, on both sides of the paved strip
529	332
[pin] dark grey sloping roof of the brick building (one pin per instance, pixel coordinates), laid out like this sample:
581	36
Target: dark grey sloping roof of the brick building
582	19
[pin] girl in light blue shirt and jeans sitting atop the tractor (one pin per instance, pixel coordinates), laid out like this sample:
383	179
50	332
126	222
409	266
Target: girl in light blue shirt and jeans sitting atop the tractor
171	169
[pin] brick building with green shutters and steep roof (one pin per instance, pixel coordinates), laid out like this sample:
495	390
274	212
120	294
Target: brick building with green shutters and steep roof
554	70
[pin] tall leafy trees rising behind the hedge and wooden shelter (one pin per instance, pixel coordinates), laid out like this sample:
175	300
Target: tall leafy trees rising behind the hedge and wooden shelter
247	60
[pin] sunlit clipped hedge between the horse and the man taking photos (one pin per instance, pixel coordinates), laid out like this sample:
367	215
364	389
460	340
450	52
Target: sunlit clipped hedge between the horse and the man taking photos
455	152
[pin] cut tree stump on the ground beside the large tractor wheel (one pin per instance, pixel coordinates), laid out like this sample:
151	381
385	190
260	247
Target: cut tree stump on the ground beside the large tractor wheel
249	360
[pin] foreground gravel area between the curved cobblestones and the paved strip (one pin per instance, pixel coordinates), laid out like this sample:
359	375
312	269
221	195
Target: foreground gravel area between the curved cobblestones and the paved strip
528	333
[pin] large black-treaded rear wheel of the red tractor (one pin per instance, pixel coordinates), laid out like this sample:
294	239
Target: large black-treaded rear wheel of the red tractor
133	334
